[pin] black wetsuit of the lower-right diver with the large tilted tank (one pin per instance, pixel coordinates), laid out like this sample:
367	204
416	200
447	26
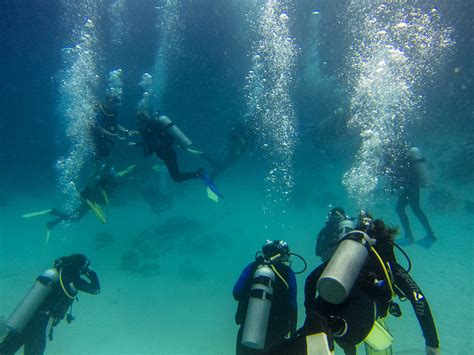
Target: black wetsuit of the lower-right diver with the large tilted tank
358	309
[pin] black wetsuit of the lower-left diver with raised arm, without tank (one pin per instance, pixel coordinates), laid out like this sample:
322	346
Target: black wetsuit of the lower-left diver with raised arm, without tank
33	337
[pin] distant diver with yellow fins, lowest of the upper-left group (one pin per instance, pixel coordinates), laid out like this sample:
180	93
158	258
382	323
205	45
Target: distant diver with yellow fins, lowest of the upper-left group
100	185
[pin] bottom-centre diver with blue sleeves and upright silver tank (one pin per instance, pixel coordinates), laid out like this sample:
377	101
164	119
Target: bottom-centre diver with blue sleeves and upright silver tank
266	292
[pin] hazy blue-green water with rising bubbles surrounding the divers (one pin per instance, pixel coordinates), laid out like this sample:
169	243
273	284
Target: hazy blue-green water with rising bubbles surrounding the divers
325	91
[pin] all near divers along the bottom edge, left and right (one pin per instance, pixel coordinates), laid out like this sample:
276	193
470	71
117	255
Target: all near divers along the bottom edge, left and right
346	298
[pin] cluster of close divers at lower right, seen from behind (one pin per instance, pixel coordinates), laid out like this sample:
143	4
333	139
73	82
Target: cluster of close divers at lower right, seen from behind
346	298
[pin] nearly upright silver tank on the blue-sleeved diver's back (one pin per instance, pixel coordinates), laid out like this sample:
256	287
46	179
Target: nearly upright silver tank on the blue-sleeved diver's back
258	310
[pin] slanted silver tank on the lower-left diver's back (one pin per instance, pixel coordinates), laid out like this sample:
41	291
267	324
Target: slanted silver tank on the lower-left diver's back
33	299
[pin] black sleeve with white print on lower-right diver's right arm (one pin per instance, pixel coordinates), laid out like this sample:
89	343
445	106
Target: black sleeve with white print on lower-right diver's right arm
420	305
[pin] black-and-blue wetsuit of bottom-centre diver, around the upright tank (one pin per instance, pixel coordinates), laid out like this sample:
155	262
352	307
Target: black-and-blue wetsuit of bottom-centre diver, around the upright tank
283	312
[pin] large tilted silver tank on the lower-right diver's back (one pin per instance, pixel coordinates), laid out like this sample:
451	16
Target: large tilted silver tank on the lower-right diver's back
341	272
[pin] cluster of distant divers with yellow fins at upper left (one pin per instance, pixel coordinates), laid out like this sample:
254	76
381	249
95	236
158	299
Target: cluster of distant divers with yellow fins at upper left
158	135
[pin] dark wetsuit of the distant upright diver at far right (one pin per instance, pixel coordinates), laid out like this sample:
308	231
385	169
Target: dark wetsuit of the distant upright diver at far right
408	187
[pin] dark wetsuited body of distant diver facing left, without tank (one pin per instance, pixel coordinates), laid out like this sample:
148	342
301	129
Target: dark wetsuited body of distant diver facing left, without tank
157	141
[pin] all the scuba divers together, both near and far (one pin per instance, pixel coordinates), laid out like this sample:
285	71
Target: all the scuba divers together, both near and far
346	298
